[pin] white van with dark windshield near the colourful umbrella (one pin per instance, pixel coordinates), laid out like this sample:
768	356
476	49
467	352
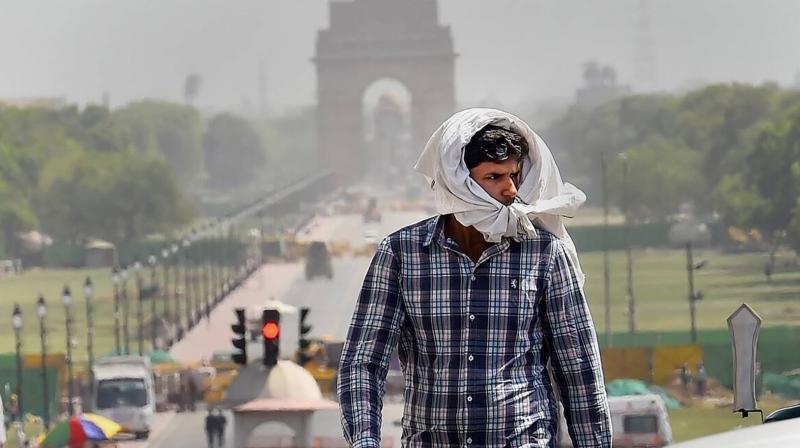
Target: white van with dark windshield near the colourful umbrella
125	392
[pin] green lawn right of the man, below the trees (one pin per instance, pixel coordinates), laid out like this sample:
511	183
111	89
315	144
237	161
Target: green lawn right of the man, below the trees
661	289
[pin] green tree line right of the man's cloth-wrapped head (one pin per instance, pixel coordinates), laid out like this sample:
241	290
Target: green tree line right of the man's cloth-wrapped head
731	149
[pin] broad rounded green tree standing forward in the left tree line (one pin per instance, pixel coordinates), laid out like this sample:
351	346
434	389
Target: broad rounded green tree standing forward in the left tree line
118	197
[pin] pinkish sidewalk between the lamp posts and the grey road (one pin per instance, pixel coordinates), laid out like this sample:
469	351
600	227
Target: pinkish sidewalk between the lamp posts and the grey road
214	334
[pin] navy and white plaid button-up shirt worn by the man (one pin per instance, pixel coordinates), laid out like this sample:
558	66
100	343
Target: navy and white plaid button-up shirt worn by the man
474	340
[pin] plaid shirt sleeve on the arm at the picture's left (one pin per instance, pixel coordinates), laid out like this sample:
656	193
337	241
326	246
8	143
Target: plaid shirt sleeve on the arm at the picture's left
371	339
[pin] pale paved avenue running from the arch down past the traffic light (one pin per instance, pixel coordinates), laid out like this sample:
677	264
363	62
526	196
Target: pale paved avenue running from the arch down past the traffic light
331	302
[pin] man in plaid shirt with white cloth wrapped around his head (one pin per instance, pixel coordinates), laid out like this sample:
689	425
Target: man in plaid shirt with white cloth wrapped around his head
480	299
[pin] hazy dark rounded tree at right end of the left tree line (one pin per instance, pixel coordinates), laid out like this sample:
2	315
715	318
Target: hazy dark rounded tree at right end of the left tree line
234	151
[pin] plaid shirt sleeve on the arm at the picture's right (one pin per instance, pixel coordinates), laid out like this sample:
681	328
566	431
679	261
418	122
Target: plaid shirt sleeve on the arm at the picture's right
575	355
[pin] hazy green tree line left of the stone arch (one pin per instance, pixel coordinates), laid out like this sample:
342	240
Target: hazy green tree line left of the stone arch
119	174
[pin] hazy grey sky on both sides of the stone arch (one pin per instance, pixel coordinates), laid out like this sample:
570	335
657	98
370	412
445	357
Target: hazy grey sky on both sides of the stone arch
510	50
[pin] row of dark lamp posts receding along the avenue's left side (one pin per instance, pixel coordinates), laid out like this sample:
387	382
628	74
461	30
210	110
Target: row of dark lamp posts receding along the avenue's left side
204	286
